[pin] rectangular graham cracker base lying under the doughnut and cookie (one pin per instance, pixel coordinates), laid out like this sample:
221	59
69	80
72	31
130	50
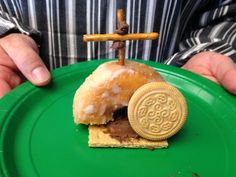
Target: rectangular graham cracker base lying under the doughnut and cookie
97	138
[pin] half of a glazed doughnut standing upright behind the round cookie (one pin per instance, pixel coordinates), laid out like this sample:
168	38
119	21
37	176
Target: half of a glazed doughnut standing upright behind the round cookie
109	88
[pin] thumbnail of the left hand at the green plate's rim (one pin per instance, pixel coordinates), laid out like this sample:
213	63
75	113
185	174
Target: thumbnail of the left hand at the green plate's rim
41	75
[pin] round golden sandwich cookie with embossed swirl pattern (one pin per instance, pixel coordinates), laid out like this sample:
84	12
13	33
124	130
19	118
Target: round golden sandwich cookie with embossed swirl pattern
157	111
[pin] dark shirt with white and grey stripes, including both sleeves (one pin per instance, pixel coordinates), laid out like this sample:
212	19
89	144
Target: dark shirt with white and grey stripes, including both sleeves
186	27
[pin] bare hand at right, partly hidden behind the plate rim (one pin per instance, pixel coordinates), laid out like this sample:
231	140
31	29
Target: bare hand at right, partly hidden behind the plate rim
216	67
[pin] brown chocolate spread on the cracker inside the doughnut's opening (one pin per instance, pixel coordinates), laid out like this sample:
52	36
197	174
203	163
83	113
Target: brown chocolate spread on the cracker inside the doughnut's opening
120	128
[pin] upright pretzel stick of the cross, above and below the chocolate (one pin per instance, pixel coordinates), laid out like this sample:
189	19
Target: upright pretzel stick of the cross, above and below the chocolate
121	52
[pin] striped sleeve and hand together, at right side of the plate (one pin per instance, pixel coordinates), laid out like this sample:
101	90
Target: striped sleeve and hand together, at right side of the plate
211	50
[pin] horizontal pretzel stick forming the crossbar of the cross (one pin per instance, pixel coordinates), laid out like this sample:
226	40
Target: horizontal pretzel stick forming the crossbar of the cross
117	37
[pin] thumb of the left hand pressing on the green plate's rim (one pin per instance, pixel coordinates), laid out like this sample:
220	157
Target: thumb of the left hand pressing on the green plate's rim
28	62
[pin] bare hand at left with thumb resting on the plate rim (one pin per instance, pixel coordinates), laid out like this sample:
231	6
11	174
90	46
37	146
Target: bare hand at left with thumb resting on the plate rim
19	59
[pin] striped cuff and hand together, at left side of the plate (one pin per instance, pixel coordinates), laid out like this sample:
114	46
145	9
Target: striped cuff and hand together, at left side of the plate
19	57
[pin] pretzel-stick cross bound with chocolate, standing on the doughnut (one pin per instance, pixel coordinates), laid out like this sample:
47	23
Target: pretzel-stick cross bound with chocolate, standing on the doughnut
120	37
